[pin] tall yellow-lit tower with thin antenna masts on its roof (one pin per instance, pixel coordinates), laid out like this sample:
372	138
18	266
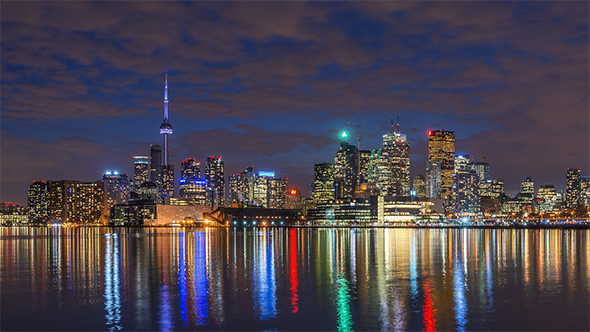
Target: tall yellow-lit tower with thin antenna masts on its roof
398	152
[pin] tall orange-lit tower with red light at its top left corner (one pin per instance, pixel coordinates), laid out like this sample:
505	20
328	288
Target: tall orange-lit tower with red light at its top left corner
441	147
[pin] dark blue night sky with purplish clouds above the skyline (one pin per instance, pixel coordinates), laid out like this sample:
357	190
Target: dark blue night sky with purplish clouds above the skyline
272	84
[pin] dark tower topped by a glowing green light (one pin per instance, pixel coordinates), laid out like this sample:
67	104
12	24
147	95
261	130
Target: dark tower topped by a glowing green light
345	170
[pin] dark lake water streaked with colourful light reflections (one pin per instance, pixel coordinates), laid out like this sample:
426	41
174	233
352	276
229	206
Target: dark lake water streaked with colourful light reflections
175	279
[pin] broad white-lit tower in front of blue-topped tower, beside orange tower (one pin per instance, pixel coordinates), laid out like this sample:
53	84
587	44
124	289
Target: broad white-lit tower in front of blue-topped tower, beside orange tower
466	191
